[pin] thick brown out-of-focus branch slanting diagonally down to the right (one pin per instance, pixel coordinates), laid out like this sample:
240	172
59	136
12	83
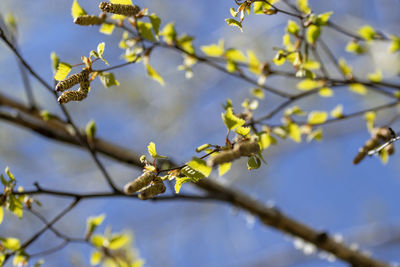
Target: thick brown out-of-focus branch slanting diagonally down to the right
268	215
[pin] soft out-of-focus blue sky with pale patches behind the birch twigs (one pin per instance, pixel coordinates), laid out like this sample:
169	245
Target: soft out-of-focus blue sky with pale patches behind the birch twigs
315	183
